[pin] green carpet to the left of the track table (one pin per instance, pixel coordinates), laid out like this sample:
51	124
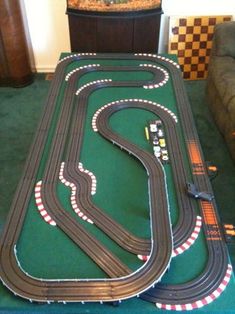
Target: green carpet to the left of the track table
20	111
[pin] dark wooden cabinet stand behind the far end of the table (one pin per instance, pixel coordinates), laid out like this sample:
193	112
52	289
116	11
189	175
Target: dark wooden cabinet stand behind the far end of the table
114	32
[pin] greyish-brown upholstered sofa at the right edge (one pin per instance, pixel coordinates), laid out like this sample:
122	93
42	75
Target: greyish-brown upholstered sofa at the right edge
221	82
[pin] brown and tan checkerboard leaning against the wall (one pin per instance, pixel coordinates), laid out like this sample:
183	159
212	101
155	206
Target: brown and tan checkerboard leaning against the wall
190	38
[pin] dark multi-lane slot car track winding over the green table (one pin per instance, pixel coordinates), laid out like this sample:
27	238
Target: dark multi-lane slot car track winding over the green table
123	283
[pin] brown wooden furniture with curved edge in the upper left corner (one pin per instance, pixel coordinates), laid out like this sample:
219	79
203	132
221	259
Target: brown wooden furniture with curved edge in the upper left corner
14	59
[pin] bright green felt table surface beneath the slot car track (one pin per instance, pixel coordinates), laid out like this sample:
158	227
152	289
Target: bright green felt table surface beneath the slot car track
45	252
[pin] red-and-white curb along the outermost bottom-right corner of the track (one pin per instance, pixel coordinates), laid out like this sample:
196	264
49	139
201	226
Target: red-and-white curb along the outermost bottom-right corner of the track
200	303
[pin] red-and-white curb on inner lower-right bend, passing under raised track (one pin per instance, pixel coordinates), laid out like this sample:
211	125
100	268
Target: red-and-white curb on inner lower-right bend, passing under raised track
185	246
